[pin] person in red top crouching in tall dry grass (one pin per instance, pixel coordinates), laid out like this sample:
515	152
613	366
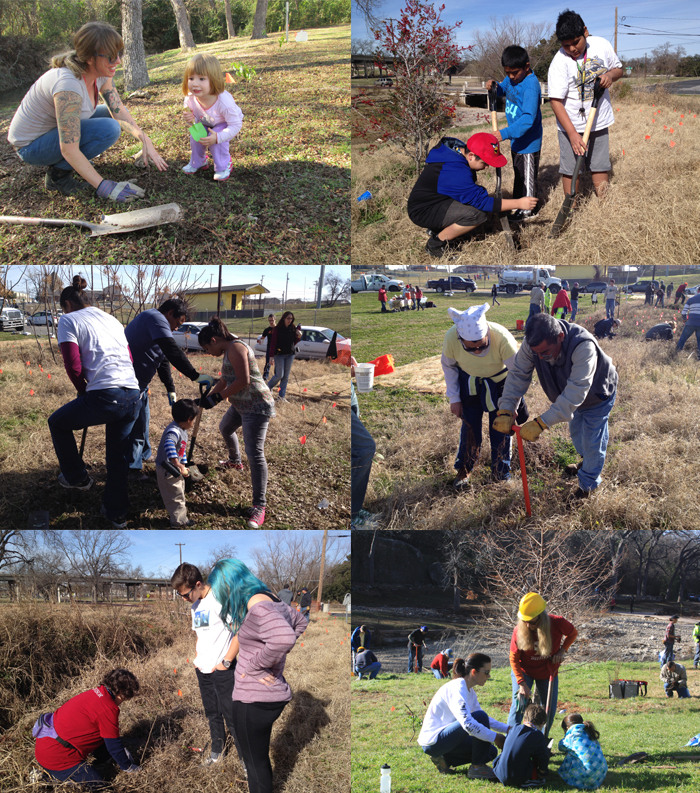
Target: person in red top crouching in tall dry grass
87	724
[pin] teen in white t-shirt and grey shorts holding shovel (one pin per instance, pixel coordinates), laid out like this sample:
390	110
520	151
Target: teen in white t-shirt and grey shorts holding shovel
571	76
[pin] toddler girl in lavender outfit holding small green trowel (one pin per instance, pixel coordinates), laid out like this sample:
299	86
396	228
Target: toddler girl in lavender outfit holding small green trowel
208	102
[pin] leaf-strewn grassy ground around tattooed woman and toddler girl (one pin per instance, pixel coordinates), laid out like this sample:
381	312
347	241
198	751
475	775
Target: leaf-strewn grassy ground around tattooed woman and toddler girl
286	200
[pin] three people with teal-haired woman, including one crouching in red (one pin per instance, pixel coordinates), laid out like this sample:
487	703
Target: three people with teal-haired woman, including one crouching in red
244	634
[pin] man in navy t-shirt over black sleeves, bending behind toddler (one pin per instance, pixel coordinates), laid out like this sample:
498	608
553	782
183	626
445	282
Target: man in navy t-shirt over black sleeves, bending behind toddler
153	348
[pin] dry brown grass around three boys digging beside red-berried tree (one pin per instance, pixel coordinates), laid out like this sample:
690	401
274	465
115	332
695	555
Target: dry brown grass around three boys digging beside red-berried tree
649	213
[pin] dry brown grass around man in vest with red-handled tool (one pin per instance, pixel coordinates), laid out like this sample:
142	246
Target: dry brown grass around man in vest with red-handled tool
649	474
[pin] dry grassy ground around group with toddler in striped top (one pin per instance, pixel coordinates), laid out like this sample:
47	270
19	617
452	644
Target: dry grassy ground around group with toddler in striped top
28	464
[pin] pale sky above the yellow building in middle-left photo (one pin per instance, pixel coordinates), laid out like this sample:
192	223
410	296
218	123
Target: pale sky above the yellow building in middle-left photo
301	276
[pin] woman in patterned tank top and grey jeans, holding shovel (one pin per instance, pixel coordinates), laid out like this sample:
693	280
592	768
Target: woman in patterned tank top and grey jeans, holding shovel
252	406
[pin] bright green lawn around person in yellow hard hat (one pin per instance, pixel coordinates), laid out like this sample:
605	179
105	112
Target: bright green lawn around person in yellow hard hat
387	716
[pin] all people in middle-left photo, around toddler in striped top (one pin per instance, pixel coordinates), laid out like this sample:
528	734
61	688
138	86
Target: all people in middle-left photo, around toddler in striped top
112	368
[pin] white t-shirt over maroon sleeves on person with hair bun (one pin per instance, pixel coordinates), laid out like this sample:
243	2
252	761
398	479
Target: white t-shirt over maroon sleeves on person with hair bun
104	351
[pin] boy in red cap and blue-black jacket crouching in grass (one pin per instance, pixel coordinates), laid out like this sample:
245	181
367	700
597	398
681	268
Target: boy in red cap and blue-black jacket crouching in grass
446	198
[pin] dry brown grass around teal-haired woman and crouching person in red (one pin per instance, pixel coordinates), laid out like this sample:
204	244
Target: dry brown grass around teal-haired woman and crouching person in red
310	741
